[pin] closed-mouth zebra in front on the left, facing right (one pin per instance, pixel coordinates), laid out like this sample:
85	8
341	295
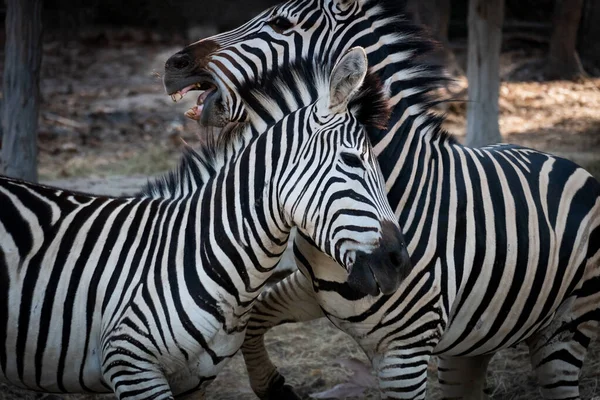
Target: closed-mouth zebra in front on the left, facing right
148	296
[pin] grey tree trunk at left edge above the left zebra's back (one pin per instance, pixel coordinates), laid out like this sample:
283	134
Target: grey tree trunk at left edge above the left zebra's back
23	56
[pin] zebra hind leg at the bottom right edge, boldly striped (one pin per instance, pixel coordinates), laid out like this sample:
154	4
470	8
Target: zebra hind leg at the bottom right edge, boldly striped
557	352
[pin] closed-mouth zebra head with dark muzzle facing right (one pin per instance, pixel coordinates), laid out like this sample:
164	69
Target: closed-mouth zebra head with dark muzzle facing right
334	191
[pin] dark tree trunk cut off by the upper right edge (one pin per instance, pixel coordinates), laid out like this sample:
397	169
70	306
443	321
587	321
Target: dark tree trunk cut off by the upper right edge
589	45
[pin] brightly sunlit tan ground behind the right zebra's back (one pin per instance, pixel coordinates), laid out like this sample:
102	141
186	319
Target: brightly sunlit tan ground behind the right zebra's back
558	117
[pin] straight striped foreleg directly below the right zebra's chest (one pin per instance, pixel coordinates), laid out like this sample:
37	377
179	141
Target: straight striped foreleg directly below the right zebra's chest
402	373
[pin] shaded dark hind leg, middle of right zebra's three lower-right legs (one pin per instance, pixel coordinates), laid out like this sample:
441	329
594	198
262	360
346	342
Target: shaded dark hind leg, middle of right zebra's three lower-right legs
463	377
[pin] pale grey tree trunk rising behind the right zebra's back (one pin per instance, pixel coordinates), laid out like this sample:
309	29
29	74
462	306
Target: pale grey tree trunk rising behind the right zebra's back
483	72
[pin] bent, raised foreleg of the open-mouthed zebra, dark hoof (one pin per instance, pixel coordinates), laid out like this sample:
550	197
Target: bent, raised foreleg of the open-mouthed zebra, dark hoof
291	300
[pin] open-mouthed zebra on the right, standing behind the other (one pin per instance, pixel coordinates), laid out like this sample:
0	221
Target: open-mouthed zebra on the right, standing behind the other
504	240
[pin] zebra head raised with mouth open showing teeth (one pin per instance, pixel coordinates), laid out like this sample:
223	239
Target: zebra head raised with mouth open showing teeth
297	29
